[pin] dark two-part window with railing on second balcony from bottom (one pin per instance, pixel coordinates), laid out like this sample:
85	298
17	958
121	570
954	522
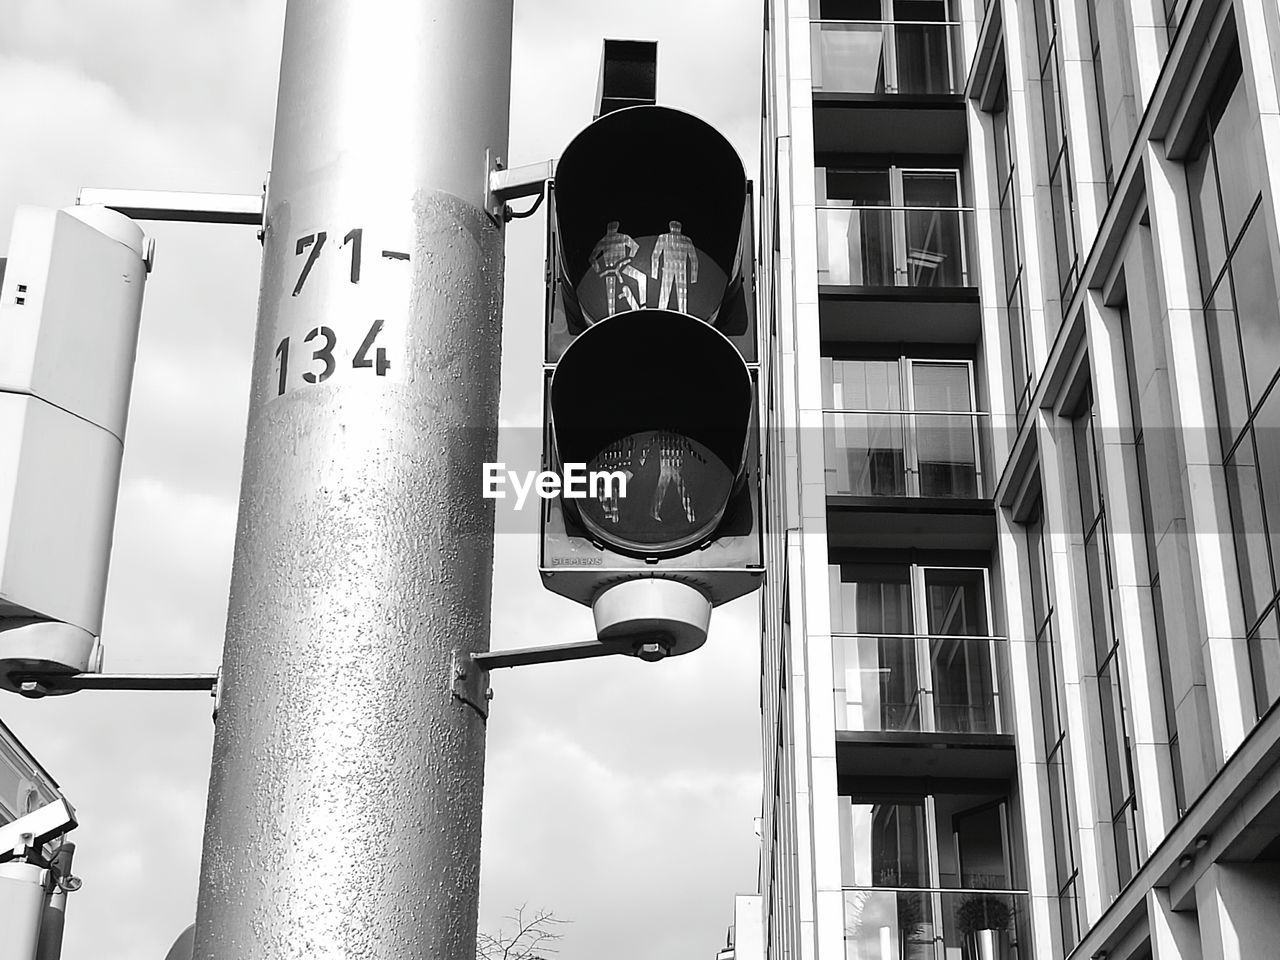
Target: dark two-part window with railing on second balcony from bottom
913	650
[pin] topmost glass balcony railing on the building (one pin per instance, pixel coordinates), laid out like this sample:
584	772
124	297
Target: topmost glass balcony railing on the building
886	57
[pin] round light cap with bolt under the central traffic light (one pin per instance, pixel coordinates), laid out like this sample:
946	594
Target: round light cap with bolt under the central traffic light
657	618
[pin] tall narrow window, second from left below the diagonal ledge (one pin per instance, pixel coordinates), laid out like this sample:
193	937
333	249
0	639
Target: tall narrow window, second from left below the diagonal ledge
1107	648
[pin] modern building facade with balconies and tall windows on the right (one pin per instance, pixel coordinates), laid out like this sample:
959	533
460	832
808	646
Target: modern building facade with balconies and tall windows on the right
1021	648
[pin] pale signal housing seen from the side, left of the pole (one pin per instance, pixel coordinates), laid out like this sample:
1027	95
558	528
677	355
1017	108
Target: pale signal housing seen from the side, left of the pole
71	300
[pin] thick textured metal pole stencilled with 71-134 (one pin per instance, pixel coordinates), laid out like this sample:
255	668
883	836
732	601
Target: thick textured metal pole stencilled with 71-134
346	788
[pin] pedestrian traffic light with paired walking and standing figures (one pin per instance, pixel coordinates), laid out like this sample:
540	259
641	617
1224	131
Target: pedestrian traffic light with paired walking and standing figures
652	386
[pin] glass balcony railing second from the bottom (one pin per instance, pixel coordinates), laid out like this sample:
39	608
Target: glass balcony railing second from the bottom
938	685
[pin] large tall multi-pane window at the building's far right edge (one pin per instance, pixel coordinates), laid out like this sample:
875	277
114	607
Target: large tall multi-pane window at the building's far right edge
1244	323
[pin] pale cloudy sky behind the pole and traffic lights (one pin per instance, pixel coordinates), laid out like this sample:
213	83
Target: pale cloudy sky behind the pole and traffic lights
620	796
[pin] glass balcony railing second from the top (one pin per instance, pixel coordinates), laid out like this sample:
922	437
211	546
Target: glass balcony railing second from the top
893	246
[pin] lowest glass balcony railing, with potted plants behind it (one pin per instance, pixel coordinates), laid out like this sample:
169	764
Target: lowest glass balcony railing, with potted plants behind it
935	925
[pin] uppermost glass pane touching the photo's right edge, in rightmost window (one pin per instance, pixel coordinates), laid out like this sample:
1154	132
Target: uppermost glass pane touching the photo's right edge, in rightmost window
1256	308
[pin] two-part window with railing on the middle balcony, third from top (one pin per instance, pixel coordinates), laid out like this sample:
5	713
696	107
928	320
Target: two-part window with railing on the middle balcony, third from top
902	428
